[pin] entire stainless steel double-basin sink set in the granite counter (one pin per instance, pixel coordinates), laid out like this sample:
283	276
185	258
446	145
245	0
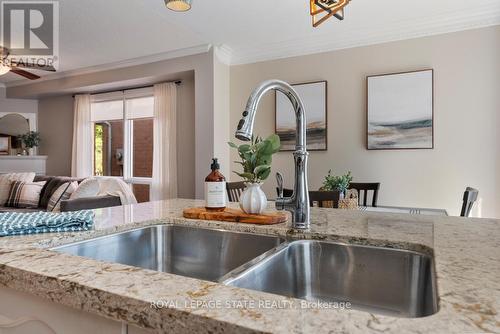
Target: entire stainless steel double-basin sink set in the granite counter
375	279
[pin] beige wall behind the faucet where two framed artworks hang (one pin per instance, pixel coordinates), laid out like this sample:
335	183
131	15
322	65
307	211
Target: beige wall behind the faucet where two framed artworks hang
467	103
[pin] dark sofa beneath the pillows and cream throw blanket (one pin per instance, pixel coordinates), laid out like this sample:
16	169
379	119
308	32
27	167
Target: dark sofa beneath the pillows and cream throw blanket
51	185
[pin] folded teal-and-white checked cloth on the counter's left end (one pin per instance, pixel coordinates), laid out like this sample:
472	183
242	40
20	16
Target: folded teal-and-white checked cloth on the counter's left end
16	223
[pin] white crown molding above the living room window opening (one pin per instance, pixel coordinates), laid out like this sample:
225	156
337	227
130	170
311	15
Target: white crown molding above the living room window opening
120	64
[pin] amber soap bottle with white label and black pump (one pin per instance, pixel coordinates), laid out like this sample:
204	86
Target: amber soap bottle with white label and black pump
215	188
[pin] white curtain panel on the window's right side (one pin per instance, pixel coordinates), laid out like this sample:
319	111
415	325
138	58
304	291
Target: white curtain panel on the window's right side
164	185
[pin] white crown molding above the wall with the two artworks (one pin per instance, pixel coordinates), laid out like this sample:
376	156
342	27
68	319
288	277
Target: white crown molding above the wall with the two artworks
488	15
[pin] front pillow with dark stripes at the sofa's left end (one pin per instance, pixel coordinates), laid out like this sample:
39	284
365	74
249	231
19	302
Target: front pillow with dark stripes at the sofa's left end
24	195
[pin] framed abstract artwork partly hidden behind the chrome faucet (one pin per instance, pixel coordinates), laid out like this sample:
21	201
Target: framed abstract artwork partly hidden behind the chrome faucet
314	97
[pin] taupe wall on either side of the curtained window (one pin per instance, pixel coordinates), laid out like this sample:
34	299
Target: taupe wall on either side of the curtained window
55	122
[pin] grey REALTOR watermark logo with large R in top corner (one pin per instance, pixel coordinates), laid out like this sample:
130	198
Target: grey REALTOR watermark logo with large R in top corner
30	31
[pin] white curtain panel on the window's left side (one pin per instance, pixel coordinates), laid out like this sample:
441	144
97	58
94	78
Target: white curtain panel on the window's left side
83	139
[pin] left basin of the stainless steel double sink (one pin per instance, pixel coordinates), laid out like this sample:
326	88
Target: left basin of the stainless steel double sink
193	252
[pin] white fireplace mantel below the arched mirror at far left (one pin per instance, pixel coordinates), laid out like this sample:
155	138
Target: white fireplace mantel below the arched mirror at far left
23	164
